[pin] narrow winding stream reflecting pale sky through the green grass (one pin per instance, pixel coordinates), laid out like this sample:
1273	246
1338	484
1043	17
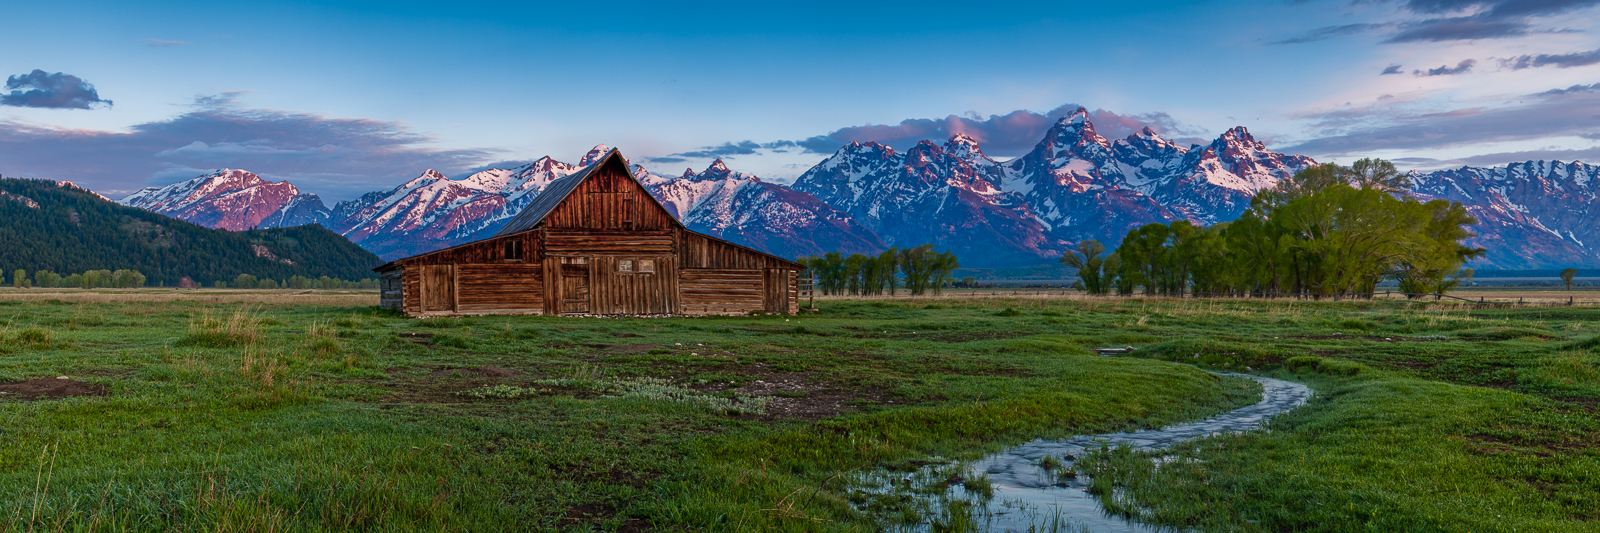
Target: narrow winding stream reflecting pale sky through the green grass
1028	495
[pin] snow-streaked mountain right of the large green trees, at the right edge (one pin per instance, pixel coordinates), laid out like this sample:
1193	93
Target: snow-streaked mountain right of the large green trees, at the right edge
1530	215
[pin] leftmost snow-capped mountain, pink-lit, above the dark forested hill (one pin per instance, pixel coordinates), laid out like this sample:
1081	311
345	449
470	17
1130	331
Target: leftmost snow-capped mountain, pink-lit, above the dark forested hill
234	201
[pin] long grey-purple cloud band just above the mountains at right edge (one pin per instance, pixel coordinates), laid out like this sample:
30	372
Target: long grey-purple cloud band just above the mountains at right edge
1551	114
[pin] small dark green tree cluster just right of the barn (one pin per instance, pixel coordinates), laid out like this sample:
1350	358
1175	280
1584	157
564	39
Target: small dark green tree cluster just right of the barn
919	271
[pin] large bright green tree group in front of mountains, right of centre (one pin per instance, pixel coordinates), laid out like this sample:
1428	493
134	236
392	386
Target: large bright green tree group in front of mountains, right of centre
1330	231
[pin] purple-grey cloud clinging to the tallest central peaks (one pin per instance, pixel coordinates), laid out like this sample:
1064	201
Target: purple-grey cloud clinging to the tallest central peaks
1007	135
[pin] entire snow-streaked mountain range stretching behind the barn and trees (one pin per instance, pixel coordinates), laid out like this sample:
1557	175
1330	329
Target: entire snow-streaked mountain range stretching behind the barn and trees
1074	185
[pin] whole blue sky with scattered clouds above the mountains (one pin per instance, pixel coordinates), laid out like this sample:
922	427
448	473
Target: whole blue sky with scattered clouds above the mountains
359	97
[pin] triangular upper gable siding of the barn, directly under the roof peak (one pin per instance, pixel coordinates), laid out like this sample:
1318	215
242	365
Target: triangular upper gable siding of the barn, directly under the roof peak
610	201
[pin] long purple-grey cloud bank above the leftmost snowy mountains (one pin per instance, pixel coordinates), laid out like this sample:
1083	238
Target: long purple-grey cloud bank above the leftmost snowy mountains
335	158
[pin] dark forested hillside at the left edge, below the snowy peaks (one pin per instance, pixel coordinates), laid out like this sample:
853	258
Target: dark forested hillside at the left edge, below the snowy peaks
57	228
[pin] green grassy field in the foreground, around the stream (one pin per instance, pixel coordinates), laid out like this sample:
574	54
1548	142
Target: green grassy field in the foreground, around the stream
290	411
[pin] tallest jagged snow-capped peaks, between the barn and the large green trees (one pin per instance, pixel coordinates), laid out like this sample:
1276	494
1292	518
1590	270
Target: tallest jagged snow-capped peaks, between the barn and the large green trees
1074	185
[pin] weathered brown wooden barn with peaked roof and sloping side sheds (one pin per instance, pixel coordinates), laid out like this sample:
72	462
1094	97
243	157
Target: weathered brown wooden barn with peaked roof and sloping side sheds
593	244
